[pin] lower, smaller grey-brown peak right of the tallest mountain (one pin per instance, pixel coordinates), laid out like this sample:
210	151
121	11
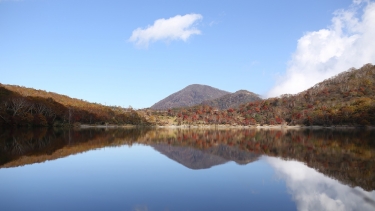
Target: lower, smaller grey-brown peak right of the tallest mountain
232	100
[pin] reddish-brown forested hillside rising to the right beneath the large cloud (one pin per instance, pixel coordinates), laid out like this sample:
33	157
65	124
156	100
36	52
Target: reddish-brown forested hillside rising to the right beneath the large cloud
346	99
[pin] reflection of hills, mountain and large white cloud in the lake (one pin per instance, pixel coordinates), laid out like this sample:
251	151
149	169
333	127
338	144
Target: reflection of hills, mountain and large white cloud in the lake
322	169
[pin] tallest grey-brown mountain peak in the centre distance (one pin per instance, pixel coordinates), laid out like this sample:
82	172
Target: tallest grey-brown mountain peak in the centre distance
189	96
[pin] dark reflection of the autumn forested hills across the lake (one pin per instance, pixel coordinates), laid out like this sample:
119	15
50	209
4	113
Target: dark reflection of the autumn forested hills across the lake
347	155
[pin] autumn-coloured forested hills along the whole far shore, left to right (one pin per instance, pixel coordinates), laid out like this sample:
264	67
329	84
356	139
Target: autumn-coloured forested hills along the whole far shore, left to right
346	99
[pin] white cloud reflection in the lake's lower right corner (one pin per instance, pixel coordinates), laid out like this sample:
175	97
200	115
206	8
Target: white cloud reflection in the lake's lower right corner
312	190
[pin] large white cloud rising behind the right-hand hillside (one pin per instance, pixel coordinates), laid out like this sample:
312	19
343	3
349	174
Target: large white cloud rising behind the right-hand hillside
347	42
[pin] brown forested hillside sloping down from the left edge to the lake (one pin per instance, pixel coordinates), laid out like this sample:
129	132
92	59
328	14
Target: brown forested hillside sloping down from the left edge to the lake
20	106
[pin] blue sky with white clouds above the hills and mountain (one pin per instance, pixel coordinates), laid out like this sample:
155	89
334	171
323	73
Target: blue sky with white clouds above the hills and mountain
135	53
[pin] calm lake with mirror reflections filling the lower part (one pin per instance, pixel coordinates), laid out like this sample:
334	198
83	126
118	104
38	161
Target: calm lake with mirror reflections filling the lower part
187	169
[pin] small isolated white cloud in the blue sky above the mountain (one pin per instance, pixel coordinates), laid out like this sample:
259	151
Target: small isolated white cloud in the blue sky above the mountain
174	28
